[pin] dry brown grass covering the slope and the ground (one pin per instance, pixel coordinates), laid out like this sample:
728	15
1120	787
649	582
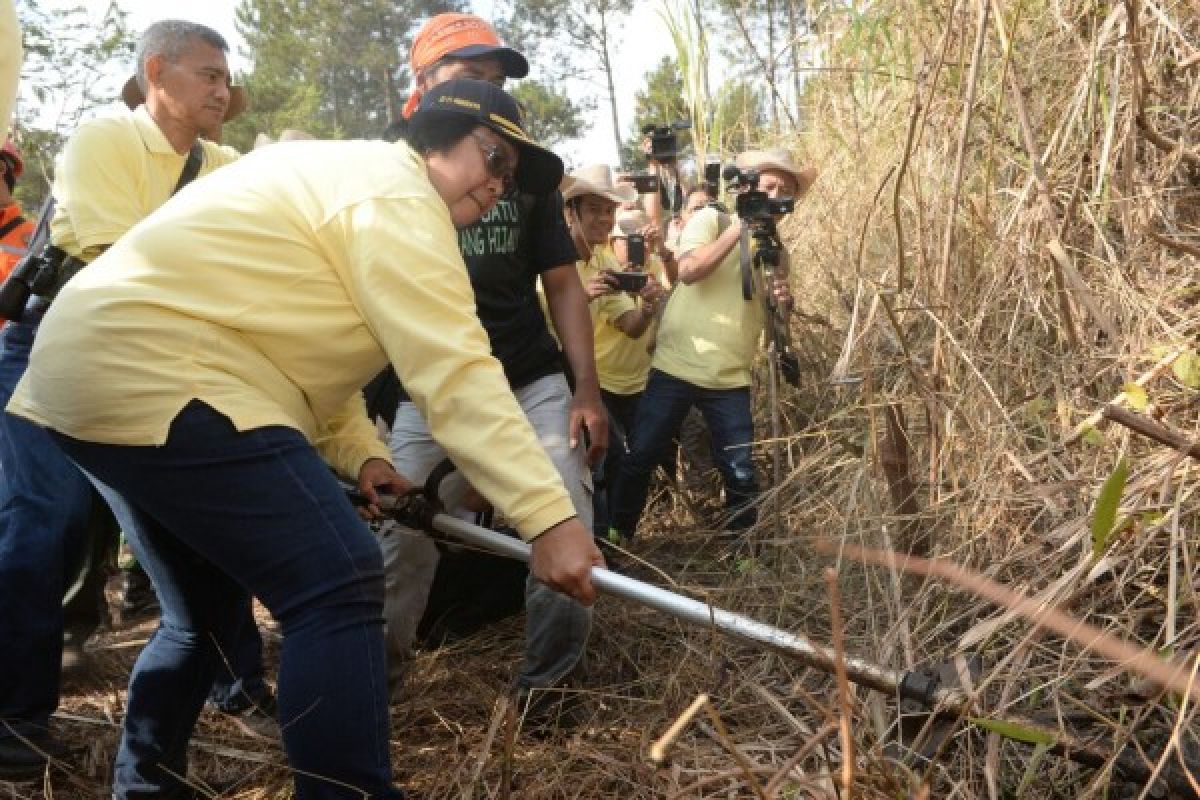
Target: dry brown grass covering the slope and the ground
1048	246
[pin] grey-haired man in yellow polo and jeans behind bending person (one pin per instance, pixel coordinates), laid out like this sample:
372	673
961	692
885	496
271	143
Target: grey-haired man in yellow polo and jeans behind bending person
111	176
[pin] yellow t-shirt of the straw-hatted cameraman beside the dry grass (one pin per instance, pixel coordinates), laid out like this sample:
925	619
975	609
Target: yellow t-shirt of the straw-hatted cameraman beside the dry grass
710	333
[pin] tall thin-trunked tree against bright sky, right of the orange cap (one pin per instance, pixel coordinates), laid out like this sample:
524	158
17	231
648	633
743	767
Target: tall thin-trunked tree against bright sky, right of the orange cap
578	39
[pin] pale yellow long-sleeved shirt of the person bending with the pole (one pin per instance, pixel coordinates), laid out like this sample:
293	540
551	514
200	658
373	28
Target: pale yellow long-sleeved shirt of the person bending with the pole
274	291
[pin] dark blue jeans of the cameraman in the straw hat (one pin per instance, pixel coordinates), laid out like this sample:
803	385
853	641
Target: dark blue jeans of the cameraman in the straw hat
661	413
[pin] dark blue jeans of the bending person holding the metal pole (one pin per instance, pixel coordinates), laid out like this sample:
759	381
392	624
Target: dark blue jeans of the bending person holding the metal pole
217	516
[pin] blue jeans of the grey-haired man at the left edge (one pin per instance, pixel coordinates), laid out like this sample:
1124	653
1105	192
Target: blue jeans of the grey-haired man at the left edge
45	503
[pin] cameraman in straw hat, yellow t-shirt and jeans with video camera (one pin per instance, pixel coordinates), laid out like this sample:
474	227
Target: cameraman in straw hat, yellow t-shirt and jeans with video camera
707	344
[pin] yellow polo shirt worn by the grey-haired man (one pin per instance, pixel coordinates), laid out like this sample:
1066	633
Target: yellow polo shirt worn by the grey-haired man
112	175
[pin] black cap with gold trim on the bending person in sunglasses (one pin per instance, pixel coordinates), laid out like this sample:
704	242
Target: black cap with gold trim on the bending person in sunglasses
539	171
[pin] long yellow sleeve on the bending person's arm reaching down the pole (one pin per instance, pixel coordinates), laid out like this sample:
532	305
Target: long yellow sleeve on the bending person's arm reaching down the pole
411	286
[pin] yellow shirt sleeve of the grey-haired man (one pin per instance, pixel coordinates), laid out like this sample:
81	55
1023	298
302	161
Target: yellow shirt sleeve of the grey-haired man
93	183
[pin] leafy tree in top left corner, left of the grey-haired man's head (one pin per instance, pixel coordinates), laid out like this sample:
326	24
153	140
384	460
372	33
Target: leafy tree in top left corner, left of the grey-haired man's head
74	65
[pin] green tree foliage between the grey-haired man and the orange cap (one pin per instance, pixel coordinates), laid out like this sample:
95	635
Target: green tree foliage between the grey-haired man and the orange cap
333	68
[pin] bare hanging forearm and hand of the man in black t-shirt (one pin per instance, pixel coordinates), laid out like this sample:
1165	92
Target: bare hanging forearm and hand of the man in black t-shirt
569	311
